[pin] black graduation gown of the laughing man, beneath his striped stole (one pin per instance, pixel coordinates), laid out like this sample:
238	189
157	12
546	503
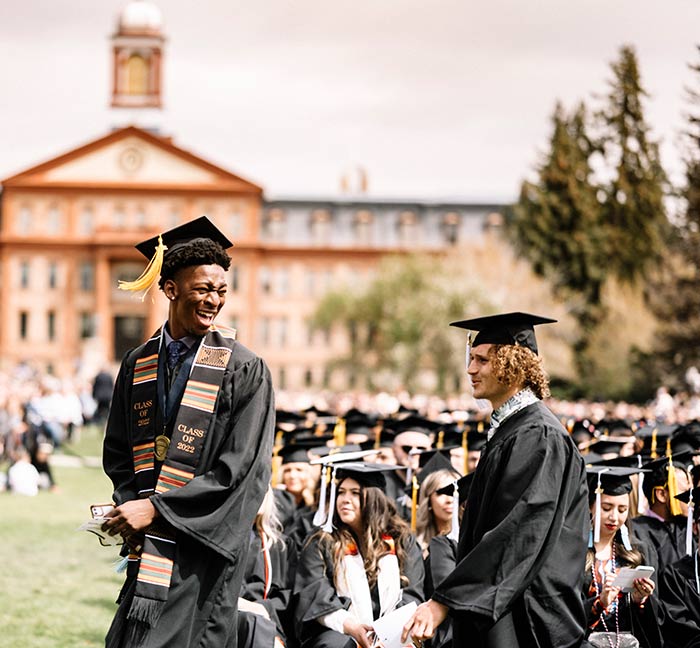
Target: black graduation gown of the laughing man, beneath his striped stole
211	516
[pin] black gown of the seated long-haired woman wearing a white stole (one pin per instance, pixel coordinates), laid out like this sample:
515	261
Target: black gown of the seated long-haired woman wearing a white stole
315	594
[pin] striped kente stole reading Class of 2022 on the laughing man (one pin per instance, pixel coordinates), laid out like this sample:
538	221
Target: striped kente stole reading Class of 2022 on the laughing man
181	456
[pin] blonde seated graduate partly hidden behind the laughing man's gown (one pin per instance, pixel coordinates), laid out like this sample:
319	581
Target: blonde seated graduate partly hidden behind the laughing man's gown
268	580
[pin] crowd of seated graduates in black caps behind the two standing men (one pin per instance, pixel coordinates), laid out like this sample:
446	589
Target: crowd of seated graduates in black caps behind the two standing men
310	557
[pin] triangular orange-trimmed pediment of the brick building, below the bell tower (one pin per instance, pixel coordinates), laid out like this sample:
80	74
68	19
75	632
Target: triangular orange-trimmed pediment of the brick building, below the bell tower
131	158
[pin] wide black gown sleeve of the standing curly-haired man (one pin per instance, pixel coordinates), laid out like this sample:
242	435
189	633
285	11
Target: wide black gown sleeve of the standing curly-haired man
523	516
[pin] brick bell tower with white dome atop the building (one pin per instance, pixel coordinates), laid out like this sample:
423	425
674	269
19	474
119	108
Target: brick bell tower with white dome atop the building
137	57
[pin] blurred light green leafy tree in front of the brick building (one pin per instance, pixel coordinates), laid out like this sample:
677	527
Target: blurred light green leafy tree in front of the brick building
397	327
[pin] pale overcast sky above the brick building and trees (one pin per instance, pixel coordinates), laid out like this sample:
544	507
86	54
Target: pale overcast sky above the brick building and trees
435	98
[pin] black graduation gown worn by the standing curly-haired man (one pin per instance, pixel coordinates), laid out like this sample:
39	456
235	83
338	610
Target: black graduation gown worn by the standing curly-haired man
523	540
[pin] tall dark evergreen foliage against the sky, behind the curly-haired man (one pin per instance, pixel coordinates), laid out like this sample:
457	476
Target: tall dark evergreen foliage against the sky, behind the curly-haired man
596	212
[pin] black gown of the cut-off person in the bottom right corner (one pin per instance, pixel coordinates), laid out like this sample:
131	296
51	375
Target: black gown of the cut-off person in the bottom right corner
680	602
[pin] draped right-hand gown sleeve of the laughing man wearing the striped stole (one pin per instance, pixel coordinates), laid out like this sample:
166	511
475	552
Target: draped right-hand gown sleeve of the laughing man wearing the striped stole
210	507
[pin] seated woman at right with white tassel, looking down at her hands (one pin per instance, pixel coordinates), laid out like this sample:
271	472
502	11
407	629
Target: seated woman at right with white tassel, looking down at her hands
614	617
